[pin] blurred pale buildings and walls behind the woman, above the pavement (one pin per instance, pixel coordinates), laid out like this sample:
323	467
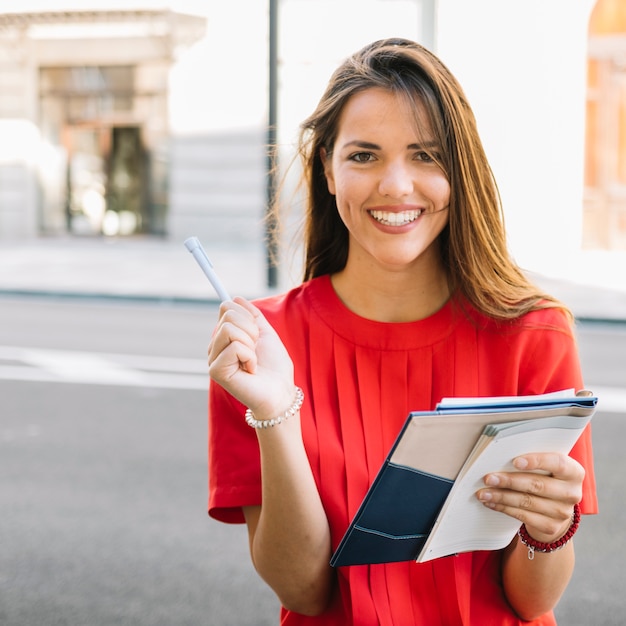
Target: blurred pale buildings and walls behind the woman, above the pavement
152	119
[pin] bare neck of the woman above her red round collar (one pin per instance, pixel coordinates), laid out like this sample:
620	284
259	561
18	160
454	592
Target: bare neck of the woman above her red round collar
388	295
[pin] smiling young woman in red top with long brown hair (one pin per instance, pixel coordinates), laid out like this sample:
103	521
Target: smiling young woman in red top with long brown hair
409	296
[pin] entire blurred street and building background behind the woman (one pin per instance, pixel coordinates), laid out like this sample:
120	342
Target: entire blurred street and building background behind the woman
126	127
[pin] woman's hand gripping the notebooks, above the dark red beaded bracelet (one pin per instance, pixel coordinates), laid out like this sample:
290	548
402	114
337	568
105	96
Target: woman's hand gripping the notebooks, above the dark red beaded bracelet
541	494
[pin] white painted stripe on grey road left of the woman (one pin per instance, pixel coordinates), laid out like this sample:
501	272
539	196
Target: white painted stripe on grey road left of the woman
82	367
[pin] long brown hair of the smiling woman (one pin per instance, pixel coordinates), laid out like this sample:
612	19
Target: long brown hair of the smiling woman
473	244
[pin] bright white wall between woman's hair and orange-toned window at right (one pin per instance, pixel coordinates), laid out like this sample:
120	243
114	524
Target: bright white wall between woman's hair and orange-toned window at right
522	64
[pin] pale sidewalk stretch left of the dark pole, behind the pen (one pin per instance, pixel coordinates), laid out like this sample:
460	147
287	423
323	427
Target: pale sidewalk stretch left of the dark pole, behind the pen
128	268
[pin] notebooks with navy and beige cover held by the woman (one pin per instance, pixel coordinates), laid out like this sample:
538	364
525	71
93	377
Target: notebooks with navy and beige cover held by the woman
422	504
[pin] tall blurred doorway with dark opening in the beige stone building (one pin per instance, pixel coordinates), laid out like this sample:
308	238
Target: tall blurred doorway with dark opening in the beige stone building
106	159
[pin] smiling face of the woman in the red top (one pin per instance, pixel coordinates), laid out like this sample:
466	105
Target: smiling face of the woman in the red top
390	194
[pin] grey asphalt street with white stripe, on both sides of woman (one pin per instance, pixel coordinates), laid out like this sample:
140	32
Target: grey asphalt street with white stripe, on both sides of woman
103	465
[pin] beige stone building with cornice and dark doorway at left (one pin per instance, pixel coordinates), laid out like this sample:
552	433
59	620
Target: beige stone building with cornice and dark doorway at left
84	124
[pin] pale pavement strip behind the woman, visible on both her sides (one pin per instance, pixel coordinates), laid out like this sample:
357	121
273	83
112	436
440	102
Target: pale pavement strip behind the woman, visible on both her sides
162	270
